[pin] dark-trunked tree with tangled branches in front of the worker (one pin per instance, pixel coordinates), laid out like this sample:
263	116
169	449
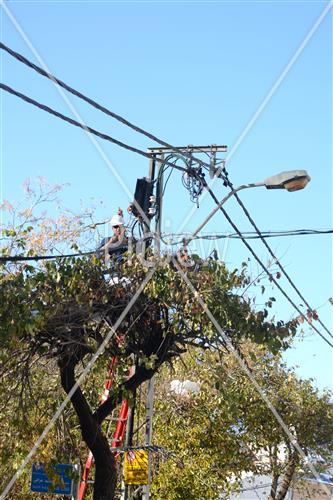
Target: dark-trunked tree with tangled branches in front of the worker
63	310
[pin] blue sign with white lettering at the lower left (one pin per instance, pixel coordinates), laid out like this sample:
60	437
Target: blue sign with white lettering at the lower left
41	483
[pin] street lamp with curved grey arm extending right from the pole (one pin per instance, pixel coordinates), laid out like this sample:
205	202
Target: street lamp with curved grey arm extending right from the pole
292	180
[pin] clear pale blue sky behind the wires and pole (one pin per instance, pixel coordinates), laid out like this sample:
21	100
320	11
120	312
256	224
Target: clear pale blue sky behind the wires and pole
192	73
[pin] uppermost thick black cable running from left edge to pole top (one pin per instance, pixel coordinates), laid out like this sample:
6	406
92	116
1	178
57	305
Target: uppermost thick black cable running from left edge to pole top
98	106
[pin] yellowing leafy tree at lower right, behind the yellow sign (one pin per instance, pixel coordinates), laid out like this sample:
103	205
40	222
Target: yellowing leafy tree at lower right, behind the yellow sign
227	429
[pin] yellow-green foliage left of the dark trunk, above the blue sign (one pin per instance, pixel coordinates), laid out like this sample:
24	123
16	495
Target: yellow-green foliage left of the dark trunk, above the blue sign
22	420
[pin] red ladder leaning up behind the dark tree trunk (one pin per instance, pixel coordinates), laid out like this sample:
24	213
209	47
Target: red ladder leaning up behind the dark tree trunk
118	436
